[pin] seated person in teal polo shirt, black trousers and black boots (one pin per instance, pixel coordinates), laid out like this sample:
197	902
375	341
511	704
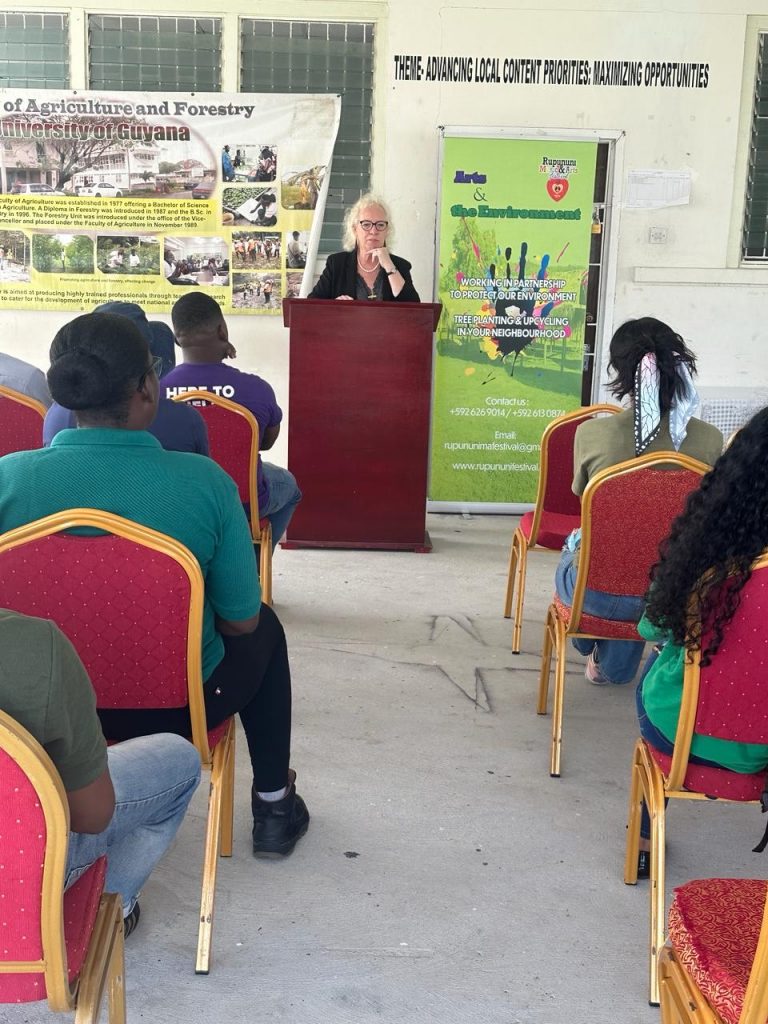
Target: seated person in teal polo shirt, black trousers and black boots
103	369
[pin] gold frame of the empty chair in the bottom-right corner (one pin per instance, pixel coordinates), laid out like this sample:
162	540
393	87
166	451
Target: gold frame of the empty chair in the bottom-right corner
684	1003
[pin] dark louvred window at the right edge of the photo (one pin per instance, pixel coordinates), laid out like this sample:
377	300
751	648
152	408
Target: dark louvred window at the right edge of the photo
755	238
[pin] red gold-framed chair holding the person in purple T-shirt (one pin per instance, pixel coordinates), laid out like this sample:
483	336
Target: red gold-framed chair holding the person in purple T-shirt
234	441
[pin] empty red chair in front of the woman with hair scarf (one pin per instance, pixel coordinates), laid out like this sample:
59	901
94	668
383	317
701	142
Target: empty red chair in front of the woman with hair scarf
558	509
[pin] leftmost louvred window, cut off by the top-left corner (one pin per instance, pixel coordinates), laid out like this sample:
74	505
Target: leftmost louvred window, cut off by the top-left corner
34	51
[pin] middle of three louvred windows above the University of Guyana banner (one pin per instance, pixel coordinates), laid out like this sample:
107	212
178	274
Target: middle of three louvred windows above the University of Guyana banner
154	54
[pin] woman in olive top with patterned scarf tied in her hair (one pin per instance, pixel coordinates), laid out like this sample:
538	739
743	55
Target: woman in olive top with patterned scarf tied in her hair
654	368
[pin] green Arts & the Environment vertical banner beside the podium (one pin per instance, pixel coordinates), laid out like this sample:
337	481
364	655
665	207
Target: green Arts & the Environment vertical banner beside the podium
516	227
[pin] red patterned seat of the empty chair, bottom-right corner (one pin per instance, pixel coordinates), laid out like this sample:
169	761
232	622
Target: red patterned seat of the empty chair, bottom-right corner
714	929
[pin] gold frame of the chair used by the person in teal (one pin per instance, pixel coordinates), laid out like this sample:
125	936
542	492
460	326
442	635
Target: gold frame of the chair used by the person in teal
221	761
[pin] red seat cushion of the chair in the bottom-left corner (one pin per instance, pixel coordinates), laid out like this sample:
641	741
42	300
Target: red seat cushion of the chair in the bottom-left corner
80	909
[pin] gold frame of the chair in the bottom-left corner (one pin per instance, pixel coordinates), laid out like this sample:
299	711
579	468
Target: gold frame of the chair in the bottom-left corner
104	967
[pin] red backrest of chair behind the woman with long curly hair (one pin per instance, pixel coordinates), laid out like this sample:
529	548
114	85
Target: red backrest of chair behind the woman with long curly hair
734	689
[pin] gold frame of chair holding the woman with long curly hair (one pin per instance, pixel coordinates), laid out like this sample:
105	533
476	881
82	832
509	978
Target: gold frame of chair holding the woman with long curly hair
651	785
